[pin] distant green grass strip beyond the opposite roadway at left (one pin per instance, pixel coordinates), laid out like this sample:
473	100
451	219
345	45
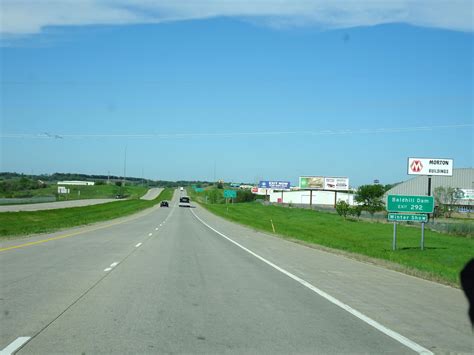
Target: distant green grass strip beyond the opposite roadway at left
86	192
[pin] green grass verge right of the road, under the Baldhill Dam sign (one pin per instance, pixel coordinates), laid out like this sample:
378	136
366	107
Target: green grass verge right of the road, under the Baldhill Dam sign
443	258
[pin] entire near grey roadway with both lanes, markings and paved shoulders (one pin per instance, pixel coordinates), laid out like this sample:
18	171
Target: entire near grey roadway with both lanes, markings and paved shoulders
180	280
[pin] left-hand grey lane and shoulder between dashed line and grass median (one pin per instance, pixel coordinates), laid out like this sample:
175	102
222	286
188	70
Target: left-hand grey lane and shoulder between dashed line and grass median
39	282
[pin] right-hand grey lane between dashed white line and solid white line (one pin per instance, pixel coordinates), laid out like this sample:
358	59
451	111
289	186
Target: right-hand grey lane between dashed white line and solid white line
188	290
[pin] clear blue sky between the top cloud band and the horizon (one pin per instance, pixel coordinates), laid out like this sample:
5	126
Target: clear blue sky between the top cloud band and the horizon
339	100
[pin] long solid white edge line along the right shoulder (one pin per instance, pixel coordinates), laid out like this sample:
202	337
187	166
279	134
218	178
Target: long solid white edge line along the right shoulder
392	334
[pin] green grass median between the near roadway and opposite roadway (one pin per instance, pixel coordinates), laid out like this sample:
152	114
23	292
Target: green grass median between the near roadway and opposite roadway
23	223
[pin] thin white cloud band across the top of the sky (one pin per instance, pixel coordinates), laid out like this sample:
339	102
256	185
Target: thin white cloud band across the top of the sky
22	17
